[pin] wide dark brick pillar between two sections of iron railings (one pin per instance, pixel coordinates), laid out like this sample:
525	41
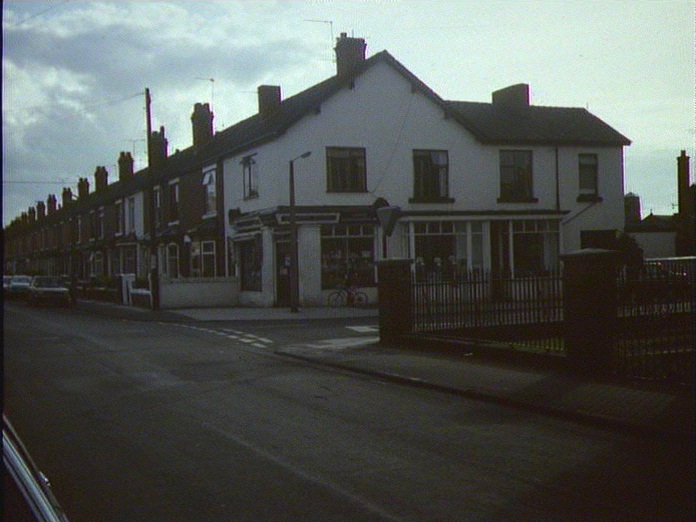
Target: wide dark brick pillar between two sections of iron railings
590	309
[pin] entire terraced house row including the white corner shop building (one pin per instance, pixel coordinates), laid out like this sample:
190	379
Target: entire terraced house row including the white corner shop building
499	186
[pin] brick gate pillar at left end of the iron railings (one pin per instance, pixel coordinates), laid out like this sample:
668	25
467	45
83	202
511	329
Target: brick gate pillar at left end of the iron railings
394	289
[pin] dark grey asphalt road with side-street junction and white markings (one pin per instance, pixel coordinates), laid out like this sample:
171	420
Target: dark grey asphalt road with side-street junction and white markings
156	422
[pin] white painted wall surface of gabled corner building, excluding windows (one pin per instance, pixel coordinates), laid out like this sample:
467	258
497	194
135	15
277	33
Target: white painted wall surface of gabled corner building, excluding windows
382	114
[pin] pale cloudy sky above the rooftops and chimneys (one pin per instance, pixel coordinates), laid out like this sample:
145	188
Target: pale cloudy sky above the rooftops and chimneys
74	73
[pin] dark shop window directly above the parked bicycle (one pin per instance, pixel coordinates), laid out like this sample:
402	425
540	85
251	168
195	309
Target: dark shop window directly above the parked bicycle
347	255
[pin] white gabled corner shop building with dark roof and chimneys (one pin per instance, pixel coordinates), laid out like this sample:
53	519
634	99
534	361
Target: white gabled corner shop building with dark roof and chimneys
501	186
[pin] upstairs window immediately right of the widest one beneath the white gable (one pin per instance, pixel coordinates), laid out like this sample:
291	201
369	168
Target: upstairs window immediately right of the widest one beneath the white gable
430	176
